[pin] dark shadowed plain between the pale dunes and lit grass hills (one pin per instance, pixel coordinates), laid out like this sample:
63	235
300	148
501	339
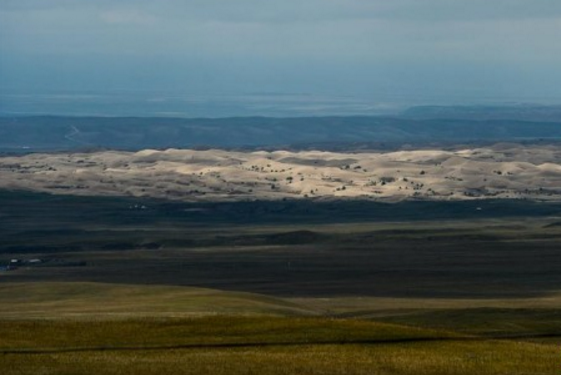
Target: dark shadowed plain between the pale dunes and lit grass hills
284	249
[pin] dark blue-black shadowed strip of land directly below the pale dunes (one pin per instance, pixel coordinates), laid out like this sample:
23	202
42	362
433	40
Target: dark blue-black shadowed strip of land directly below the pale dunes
76	213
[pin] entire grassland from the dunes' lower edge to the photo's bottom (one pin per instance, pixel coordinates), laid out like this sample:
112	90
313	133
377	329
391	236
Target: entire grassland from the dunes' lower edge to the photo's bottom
297	290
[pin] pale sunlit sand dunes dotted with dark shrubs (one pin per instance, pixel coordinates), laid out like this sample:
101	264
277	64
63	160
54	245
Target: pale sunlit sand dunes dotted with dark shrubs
500	171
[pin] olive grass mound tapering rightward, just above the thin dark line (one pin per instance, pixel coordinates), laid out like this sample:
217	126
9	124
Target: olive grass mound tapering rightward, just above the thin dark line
47	335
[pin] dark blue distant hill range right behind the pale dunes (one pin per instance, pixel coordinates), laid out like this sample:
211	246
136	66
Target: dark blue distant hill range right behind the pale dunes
415	126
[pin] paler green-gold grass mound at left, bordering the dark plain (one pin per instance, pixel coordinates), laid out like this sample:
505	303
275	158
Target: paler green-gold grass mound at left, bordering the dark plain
75	300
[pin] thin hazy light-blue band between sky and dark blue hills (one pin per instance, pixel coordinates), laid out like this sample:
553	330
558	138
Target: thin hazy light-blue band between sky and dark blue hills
178	104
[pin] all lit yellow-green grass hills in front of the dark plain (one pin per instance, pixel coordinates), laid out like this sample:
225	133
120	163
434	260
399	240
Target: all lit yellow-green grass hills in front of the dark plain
89	328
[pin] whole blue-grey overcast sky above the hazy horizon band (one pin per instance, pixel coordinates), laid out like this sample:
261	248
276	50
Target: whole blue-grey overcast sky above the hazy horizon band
476	50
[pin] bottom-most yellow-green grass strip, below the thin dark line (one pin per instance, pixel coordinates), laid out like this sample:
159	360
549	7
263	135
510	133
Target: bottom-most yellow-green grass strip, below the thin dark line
473	357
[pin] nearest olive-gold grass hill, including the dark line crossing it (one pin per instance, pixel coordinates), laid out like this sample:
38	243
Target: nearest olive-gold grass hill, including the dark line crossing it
226	345
